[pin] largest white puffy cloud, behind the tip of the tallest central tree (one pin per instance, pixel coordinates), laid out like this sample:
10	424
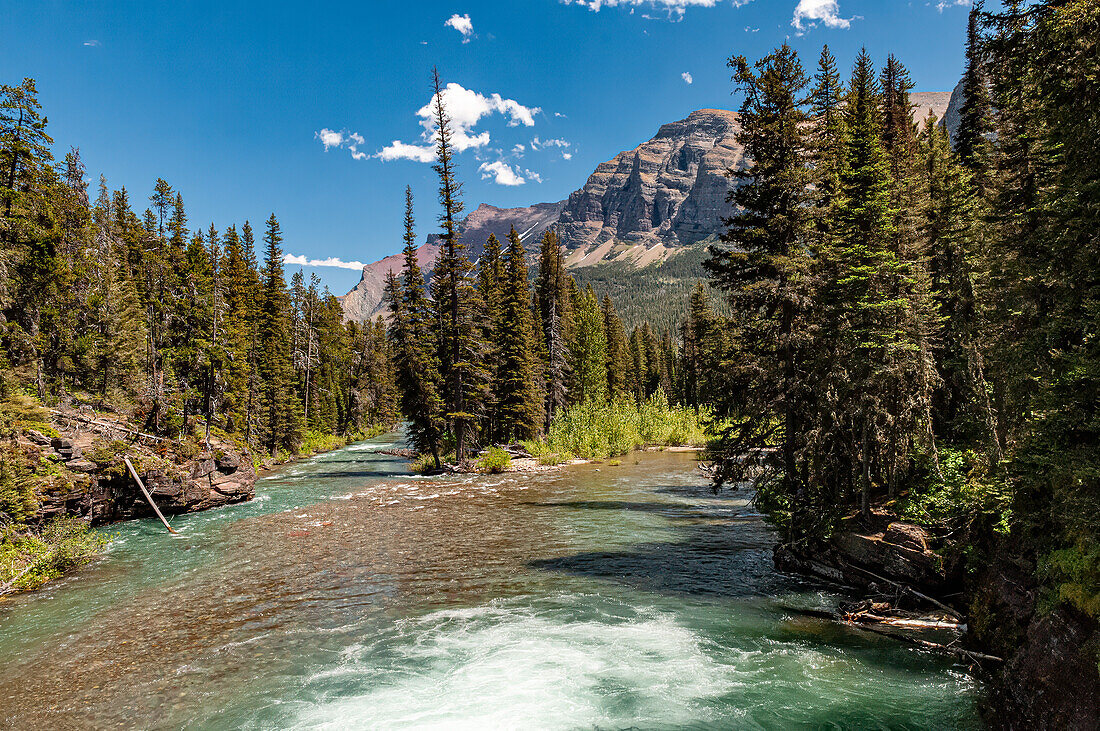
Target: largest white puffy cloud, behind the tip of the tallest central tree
466	109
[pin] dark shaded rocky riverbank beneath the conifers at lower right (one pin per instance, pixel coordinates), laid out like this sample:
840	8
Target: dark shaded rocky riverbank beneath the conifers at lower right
1046	673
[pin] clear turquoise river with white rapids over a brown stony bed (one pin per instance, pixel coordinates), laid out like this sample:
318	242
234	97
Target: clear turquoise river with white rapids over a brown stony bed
353	595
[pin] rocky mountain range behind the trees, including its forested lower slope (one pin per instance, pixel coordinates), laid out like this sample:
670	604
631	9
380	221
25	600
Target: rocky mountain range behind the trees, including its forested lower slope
646	206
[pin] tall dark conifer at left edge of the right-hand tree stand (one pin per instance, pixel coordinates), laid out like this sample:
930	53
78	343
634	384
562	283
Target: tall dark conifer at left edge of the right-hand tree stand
767	269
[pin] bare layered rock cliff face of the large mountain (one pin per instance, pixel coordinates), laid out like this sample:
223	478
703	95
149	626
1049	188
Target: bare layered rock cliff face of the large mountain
667	193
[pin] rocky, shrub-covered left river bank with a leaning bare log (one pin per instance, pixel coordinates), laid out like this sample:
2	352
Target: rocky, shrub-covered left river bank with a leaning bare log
78	479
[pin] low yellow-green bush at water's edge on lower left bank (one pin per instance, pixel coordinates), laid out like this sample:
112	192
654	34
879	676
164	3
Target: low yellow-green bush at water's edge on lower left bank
29	560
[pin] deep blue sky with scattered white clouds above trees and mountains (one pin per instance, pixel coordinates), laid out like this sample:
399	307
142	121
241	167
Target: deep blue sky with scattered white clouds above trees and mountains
254	107
